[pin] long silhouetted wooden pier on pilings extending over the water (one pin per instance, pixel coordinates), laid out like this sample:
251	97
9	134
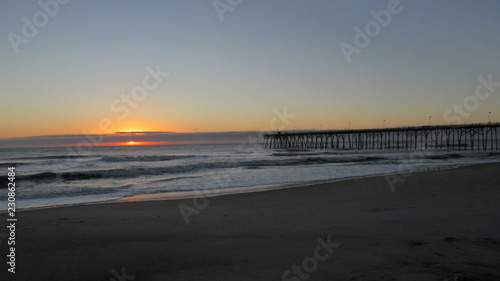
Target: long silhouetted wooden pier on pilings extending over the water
461	137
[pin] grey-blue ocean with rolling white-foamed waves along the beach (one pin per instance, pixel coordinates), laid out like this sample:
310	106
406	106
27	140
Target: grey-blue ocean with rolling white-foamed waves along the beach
49	177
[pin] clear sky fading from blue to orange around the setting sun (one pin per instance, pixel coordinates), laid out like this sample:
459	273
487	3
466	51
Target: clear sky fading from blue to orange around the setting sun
100	67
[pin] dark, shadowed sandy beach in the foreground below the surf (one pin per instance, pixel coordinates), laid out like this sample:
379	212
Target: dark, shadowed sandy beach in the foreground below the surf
438	225
